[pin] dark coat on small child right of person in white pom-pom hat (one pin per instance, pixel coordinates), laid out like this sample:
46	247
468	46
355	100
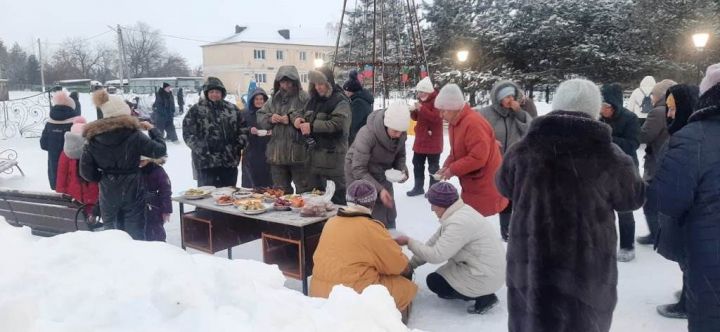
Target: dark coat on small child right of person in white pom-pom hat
158	192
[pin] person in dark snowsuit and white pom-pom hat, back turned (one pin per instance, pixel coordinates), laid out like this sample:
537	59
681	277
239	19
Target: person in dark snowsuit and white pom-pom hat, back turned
111	157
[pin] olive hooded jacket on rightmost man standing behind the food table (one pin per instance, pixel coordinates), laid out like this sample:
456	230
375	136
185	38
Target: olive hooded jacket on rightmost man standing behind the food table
329	119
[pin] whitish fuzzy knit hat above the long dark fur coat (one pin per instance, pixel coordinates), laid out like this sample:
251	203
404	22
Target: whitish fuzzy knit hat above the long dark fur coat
578	95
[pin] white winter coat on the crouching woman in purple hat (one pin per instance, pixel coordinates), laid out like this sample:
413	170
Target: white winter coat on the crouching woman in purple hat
473	251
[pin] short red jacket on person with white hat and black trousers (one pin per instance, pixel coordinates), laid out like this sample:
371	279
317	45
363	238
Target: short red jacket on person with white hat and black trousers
428	121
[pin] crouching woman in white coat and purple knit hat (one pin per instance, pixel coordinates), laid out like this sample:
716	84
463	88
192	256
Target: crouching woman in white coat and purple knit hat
475	257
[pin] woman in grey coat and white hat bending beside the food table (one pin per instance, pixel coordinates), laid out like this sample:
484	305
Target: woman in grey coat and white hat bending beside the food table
380	146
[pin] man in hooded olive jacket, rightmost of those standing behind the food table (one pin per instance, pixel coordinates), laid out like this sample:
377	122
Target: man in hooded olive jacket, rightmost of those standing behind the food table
325	125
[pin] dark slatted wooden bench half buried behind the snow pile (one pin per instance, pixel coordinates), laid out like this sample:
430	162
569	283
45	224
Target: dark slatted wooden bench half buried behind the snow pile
46	213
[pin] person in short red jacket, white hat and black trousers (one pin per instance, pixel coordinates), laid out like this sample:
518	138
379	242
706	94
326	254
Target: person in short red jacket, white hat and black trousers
428	143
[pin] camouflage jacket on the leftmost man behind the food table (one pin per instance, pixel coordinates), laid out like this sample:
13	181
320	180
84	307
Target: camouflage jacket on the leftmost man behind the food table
216	134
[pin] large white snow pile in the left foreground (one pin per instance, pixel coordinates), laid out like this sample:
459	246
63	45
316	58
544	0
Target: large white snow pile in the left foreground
105	281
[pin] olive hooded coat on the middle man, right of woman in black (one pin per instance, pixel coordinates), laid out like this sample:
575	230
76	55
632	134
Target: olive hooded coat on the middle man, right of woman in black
286	146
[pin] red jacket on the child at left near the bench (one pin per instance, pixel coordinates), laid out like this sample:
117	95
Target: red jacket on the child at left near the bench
69	182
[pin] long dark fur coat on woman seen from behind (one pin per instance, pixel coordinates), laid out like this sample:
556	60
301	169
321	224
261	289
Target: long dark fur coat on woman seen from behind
566	180
